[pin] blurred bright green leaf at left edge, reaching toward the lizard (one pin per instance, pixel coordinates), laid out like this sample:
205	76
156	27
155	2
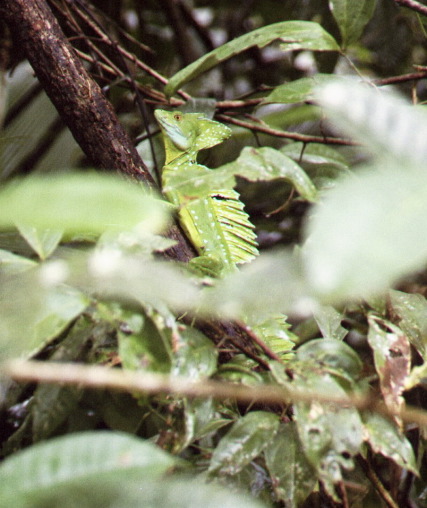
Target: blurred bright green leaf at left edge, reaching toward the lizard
81	203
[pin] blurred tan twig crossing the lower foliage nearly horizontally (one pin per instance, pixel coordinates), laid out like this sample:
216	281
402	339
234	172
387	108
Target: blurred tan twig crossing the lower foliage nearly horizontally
95	376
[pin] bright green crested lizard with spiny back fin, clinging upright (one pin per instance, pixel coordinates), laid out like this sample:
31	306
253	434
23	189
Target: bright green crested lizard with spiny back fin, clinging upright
216	223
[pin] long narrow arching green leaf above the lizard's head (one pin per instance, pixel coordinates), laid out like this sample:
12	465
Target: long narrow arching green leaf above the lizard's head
293	35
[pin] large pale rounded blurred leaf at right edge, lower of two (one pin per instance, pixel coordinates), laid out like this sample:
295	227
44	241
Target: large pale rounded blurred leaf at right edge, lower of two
369	231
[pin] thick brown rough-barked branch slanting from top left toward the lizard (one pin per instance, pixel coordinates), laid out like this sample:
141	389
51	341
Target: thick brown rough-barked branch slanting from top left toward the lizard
77	97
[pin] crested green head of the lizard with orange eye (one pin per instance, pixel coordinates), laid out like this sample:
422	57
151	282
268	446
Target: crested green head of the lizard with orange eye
190	131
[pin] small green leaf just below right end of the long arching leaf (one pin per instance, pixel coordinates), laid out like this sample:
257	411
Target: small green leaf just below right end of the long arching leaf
299	90
